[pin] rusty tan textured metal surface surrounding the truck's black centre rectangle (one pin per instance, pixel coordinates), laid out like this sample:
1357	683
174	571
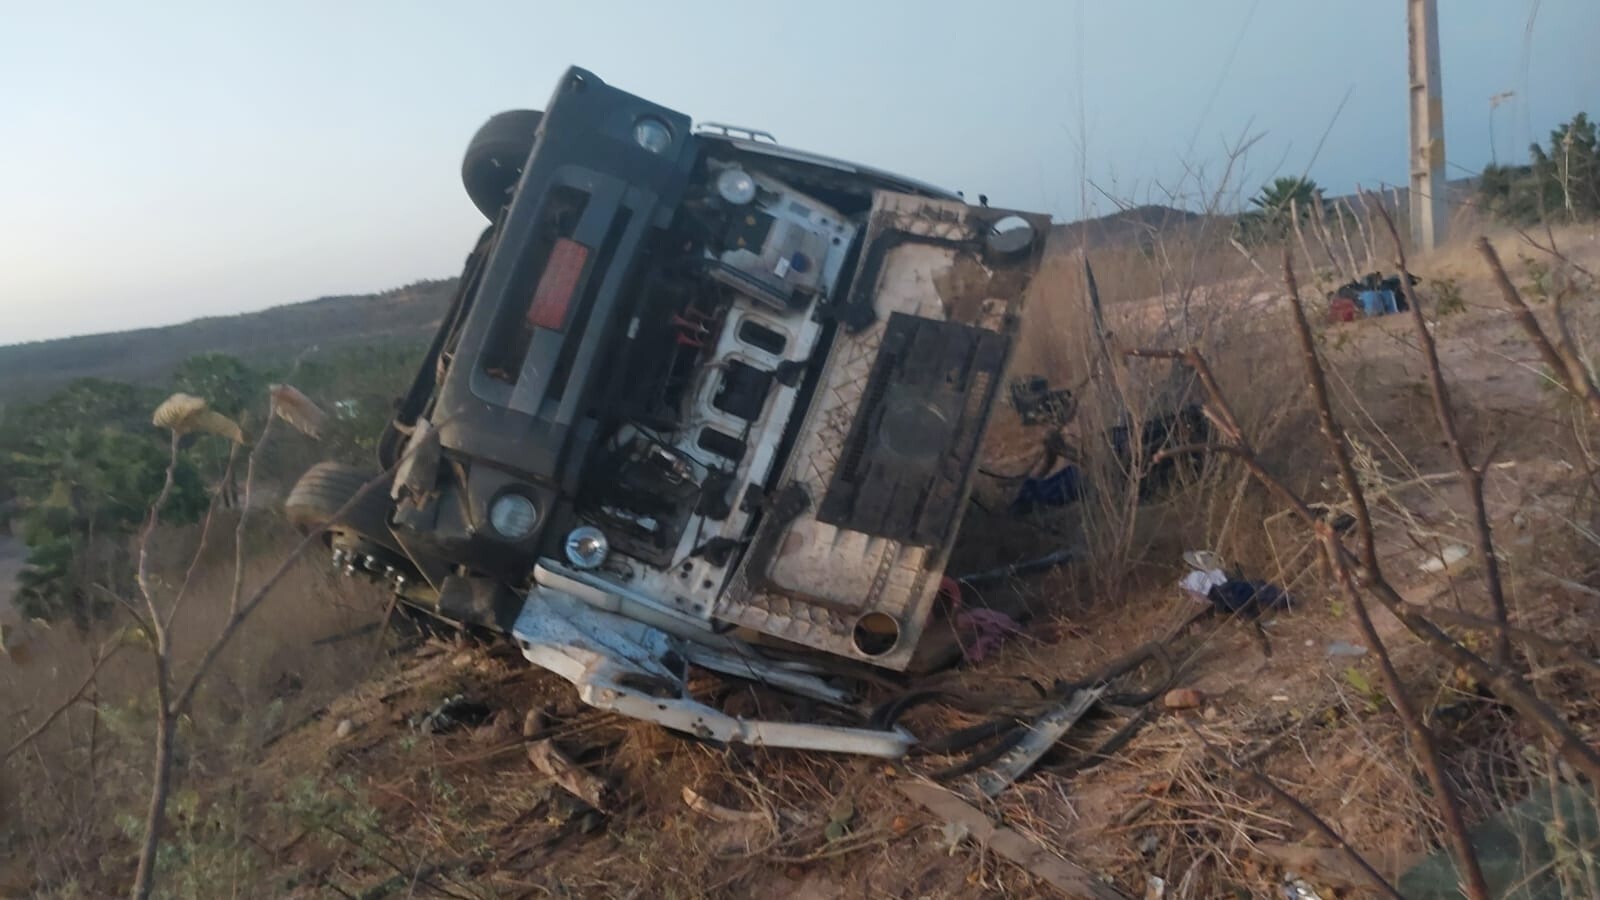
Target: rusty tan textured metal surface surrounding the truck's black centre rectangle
823	584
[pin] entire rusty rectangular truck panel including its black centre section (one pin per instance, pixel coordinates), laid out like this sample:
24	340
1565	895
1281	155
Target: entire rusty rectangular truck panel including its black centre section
886	454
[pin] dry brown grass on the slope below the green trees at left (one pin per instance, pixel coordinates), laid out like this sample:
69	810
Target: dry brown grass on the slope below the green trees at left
66	797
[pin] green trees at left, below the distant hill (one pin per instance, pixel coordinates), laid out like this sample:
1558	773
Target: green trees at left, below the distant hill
81	468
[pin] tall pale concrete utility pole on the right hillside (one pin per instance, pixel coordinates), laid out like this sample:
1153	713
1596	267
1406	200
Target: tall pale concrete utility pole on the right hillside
1430	212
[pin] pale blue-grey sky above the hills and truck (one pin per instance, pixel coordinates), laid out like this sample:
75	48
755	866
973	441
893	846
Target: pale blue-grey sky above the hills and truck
167	161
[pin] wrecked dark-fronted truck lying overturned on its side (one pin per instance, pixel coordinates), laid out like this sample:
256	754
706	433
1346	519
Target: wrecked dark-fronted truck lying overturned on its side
700	400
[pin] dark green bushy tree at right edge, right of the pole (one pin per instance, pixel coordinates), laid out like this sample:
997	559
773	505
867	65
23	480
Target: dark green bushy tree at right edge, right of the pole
1562	182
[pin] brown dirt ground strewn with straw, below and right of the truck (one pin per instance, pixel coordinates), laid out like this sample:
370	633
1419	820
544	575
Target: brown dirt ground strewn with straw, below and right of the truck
362	797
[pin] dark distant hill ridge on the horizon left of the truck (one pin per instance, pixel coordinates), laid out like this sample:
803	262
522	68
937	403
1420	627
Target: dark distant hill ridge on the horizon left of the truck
150	355
